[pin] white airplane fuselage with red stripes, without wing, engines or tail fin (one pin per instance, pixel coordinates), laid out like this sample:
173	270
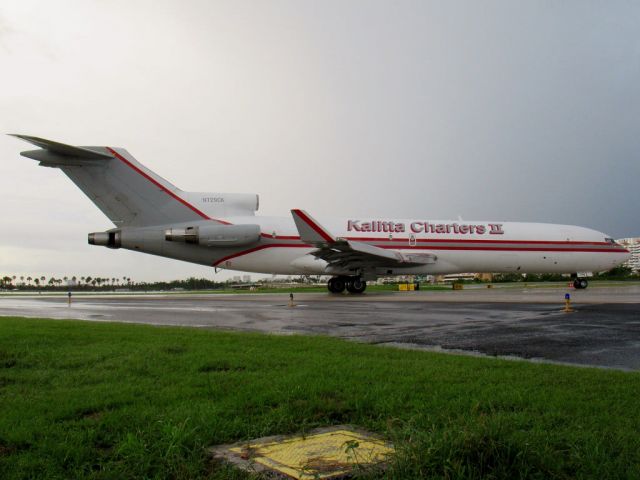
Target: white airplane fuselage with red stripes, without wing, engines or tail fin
460	246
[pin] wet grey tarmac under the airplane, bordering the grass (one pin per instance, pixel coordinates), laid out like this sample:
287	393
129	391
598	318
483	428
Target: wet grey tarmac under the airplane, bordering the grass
603	331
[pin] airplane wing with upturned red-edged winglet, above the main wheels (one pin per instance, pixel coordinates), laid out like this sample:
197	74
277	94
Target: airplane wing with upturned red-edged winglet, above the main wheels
343	254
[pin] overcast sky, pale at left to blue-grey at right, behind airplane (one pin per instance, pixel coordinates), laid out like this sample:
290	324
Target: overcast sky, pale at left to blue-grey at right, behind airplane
522	111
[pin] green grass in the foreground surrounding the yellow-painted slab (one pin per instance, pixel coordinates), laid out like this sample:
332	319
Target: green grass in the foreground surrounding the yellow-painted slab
130	401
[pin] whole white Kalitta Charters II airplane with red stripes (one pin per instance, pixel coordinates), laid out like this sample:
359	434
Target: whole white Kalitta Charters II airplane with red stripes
221	230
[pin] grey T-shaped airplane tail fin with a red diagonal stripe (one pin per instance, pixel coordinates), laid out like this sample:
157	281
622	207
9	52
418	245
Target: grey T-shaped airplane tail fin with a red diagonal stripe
128	193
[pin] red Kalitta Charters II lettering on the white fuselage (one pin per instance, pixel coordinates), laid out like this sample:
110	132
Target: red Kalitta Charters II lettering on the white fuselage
424	227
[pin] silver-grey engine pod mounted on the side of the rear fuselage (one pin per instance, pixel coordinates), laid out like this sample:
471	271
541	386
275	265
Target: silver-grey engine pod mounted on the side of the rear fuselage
215	235
